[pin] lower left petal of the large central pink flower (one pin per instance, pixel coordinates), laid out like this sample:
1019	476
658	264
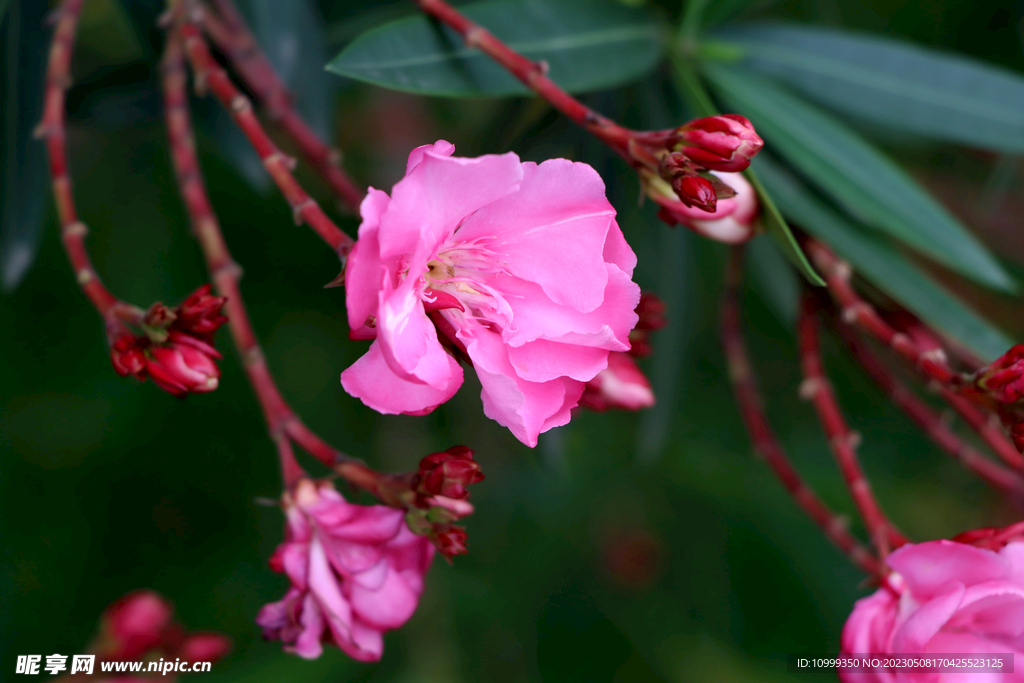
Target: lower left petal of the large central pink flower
371	380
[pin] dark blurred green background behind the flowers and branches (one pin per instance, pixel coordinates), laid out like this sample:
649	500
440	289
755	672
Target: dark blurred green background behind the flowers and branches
649	547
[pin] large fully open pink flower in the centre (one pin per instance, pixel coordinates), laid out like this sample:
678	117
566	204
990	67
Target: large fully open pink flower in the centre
519	268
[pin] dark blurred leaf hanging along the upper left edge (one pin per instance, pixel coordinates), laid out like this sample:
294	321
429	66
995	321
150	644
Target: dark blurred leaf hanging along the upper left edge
24	170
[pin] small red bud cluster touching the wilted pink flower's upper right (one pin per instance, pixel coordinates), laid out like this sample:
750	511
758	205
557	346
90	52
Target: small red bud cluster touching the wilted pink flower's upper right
441	498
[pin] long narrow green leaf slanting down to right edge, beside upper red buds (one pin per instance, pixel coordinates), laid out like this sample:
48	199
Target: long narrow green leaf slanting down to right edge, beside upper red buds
858	176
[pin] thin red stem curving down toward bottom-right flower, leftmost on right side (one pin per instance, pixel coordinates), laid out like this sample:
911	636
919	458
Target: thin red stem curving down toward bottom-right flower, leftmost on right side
763	439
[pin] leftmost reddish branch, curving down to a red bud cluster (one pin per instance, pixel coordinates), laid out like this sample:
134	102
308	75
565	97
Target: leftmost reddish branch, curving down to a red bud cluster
52	129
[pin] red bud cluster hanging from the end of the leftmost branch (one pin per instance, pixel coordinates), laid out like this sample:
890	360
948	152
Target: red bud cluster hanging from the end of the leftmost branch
176	349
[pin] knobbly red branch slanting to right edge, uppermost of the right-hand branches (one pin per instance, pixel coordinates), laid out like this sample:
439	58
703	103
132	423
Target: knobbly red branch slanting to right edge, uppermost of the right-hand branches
858	312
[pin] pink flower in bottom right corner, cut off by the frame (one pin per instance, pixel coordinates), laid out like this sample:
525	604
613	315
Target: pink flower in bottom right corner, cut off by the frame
945	597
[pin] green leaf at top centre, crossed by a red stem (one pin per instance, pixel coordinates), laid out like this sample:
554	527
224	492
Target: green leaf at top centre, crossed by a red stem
587	46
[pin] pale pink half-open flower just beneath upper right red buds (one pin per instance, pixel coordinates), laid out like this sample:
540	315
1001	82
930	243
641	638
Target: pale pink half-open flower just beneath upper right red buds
734	219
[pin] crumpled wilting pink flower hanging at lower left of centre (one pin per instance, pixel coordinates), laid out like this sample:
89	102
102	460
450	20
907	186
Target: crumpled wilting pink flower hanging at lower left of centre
356	571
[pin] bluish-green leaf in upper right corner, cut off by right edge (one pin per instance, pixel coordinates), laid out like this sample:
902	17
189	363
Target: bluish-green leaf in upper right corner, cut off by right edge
892	83
